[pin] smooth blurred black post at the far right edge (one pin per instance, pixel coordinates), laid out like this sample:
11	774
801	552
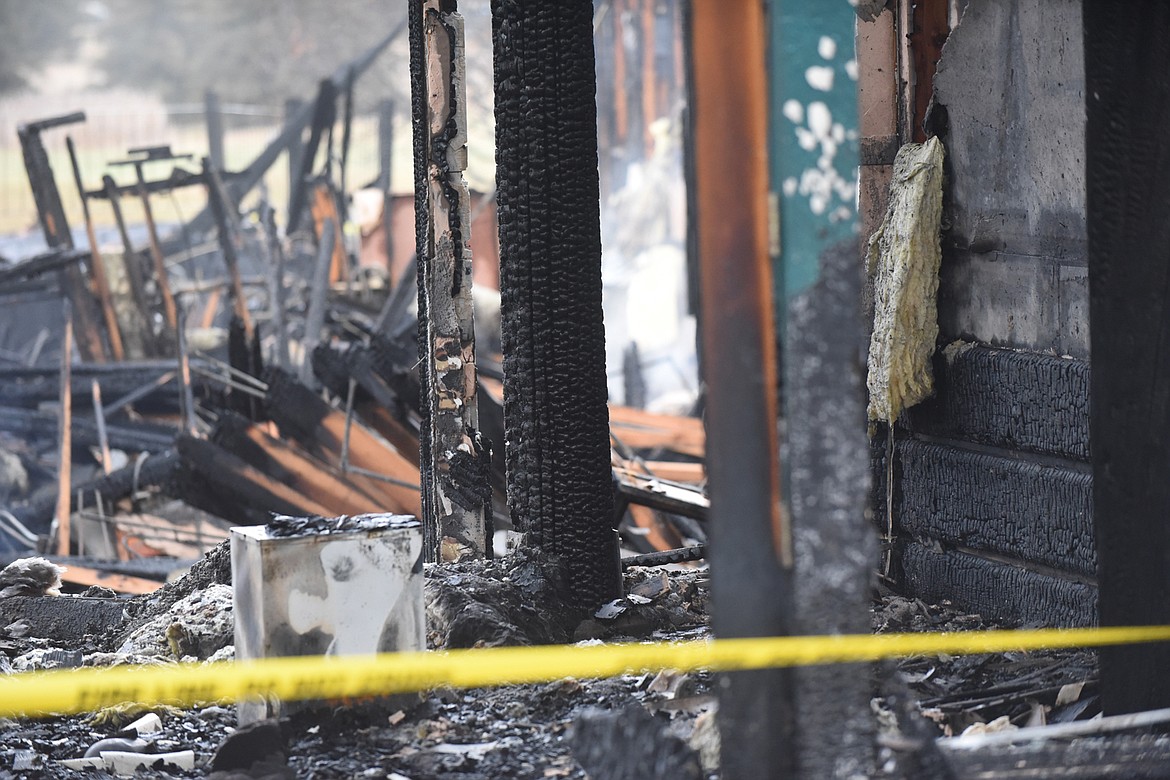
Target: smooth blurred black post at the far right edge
1127	58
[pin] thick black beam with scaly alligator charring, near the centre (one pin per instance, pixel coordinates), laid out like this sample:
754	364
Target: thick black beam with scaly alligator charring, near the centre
555	390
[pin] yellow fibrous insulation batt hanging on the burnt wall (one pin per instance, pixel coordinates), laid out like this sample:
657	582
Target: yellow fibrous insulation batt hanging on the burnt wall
903	260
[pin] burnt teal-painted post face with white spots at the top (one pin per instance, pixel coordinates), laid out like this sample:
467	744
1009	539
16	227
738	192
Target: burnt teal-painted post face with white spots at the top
821	271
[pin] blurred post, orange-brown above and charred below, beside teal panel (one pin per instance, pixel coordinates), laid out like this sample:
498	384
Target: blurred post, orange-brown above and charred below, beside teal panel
751	553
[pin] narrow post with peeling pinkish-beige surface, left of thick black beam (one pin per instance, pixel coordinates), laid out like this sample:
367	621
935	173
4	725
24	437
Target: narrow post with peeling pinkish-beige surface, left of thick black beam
459	500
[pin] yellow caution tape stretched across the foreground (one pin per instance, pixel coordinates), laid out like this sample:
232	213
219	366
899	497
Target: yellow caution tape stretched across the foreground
332	678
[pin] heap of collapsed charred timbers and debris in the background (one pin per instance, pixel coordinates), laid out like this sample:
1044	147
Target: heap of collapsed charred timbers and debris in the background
230	371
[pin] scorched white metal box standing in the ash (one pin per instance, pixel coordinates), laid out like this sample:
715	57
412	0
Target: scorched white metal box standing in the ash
316	586
